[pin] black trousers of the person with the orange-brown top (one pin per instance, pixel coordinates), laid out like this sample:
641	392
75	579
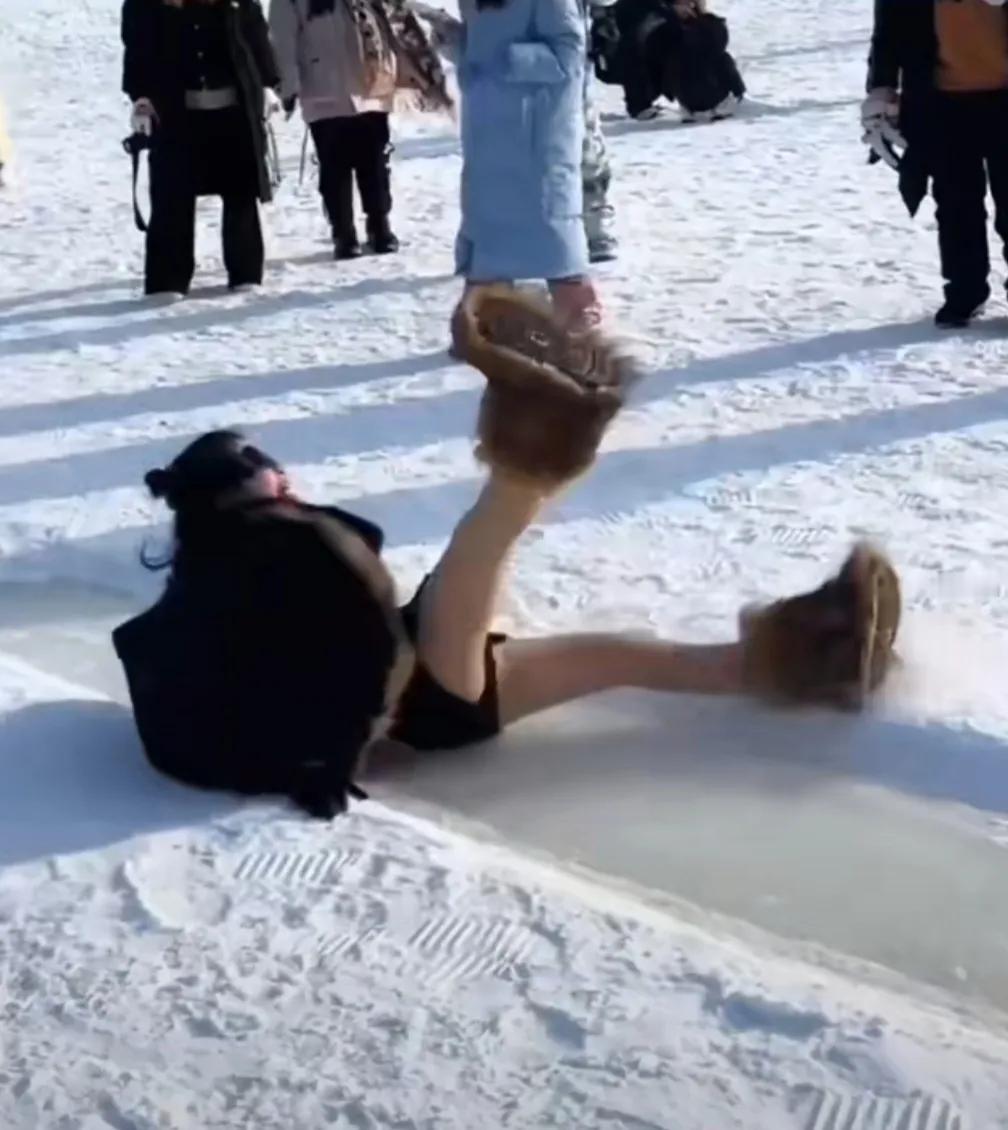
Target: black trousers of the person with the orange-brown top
969	154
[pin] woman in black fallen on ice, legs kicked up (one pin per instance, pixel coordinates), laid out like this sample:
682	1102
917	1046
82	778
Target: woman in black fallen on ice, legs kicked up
279	654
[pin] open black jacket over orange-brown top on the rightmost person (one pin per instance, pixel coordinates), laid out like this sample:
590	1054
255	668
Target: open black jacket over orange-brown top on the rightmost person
905	57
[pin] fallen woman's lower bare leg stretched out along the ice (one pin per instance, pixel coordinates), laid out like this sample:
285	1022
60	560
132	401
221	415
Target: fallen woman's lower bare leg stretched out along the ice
535	675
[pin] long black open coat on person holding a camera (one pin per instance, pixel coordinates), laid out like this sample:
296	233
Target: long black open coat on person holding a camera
155	39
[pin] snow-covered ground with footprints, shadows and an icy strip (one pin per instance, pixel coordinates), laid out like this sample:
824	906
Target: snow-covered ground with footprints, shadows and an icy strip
638	915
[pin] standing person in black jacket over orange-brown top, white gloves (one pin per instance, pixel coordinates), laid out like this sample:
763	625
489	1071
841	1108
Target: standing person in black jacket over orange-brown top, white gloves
939	81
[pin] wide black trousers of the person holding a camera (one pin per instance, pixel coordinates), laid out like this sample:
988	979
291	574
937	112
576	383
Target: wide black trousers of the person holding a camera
210	153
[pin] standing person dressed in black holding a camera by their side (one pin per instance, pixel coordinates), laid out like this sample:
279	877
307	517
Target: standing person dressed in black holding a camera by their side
199	75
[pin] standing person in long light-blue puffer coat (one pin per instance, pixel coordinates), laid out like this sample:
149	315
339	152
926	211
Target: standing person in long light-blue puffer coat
522	76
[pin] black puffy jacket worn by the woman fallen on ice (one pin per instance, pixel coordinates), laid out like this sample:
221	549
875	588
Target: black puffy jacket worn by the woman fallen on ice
264	666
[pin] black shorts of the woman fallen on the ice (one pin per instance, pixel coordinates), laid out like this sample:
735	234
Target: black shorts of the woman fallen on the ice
431	718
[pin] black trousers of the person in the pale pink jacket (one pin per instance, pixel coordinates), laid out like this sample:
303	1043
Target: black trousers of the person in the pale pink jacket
354	147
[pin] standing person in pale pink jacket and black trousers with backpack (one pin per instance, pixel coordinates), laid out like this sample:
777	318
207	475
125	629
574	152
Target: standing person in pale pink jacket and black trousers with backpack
346	60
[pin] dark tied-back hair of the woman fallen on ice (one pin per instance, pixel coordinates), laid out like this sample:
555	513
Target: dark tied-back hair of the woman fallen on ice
194	482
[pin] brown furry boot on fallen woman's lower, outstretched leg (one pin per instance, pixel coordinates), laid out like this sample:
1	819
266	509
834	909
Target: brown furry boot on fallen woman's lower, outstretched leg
832	647
